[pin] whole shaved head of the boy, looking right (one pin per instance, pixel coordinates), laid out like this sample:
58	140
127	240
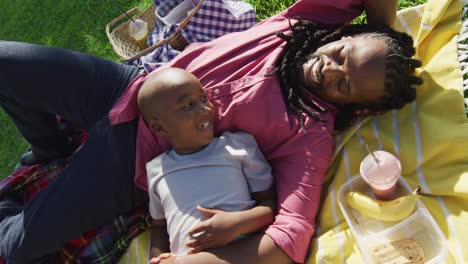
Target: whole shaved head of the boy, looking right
174	105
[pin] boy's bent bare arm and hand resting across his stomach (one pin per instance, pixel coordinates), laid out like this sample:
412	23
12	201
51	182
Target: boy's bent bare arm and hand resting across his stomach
223	227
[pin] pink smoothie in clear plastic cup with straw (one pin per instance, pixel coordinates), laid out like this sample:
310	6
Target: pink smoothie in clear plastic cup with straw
381	174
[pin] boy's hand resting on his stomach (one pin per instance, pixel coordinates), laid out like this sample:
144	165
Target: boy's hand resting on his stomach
218	231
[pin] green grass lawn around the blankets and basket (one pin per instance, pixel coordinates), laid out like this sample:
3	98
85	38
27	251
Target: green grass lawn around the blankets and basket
77	25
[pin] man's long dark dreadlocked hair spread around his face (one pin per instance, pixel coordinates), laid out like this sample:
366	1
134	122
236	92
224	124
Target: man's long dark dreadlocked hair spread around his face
307	37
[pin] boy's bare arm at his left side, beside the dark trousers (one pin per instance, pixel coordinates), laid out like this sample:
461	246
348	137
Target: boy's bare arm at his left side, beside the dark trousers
159	238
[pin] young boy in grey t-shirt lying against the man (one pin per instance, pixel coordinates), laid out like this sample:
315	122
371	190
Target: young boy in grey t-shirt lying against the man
228	172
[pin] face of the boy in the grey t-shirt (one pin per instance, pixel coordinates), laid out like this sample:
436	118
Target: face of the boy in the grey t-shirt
187	118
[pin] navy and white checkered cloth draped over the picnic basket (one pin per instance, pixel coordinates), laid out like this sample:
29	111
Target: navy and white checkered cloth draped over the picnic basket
214	19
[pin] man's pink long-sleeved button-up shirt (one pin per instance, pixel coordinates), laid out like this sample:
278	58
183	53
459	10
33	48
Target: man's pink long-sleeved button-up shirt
232	70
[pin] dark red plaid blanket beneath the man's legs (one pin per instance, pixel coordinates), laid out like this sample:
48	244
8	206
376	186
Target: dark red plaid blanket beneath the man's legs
101	245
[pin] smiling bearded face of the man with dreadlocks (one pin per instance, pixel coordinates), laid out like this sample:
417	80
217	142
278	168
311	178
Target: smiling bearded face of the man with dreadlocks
347	71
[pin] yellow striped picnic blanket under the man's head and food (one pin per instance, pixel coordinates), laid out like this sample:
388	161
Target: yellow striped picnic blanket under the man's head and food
429	136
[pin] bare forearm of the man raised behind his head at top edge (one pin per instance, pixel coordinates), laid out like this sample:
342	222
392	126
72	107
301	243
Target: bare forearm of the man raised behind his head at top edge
381	12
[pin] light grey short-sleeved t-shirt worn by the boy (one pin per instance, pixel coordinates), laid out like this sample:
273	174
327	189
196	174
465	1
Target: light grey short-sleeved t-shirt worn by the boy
222	175
